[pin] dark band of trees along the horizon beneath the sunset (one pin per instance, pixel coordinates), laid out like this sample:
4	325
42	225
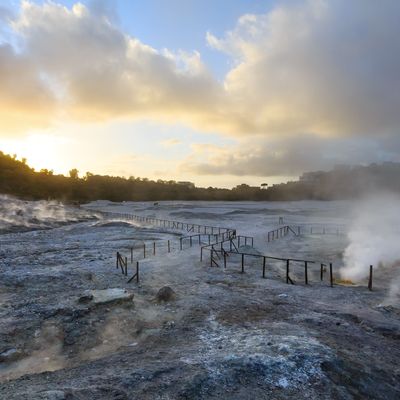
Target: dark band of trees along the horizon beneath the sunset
18	179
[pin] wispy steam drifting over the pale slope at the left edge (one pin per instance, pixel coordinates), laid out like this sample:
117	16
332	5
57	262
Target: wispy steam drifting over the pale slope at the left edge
18	215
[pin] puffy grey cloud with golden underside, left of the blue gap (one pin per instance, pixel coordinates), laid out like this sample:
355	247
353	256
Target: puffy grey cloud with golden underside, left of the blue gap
106	74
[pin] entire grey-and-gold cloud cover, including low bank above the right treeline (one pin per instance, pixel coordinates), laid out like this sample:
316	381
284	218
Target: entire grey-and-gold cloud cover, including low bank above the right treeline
309	79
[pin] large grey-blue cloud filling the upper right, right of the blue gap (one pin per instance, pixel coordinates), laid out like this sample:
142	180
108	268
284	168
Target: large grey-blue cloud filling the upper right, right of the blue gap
330	68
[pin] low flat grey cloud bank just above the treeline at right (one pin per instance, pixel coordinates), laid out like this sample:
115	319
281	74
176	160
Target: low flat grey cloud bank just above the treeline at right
282	156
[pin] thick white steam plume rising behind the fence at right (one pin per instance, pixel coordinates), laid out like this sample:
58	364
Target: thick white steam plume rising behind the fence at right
374	237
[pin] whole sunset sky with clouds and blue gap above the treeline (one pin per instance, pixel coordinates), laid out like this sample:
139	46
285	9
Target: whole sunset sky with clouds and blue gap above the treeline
217	92
